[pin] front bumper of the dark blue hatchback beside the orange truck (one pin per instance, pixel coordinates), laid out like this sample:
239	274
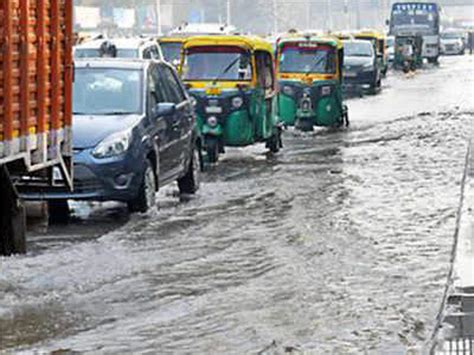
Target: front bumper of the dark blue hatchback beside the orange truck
114	179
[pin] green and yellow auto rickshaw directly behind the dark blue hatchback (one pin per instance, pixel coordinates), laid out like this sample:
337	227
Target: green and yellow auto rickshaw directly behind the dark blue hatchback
232	80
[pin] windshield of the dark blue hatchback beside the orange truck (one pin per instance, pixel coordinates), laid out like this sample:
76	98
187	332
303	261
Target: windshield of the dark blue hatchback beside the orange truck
103	91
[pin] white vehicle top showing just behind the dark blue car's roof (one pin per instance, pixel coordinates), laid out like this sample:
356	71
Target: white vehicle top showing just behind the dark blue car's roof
140	48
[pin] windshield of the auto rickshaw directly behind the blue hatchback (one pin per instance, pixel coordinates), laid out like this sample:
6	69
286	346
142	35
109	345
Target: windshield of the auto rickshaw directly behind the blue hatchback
217	63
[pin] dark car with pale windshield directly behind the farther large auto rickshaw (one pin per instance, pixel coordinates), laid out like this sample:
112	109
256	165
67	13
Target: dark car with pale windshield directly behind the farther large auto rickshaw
361	68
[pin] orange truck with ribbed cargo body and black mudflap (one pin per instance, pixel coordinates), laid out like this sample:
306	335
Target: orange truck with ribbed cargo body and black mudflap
36	74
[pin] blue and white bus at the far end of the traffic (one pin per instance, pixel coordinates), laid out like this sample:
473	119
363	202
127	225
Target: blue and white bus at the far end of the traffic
418	19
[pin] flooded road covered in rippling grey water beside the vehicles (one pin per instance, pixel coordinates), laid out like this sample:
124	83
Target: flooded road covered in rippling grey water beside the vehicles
339	244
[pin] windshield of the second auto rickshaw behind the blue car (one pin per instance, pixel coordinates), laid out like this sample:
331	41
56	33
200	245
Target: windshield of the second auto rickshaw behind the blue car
308	58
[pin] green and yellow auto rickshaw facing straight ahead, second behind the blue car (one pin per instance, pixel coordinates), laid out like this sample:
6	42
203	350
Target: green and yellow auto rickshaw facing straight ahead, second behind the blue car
310	81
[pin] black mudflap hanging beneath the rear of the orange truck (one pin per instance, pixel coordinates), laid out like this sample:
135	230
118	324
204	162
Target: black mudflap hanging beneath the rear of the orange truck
12	217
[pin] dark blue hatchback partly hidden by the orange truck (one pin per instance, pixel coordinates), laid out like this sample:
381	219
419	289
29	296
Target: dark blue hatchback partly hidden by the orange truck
134	131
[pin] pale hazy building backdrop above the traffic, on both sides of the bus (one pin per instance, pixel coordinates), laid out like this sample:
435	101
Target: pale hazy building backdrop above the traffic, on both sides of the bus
256	16
